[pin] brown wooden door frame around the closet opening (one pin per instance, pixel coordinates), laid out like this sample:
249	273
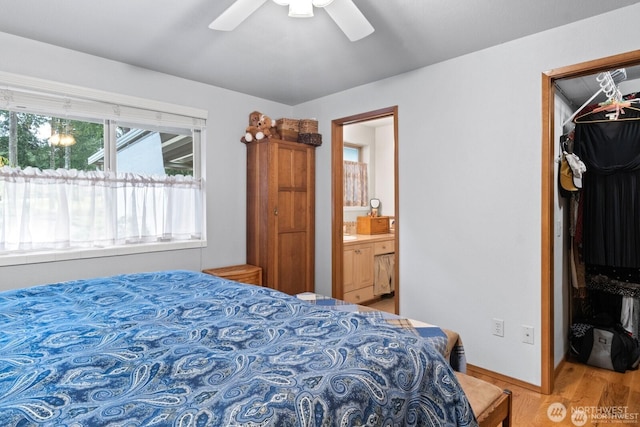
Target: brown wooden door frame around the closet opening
548	189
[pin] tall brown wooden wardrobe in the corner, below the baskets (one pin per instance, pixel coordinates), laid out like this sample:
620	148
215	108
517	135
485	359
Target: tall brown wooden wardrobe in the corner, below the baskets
281	213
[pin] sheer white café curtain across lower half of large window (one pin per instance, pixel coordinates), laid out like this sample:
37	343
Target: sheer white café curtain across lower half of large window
67	209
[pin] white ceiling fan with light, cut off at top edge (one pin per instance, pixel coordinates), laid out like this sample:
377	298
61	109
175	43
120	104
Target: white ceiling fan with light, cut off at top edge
344	12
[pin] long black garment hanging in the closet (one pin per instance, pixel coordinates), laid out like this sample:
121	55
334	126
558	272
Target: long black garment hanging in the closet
610	150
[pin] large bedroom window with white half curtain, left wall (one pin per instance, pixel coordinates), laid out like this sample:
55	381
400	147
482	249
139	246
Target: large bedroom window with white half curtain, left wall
82	172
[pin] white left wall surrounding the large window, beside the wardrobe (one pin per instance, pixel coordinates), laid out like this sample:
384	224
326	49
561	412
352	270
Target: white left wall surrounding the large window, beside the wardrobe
225	156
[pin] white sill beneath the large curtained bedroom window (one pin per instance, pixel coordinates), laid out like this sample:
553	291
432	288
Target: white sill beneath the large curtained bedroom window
84	253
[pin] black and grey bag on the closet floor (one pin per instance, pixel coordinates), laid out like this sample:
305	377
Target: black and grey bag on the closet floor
608	347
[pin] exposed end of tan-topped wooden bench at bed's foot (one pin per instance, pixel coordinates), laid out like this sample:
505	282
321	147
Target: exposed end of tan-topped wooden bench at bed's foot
491	404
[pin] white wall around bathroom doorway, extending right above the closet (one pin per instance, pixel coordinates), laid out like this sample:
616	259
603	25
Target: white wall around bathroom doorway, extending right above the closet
470	183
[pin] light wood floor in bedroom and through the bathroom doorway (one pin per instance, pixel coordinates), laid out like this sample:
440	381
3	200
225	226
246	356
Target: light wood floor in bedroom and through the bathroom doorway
578	388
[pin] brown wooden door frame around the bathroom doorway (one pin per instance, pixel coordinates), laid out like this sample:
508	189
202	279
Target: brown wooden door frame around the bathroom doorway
337	218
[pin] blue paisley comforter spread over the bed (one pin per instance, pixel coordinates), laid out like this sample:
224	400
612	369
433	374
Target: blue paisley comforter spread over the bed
180	348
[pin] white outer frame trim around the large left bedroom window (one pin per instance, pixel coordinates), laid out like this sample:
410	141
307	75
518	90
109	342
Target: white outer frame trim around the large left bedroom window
168	115
